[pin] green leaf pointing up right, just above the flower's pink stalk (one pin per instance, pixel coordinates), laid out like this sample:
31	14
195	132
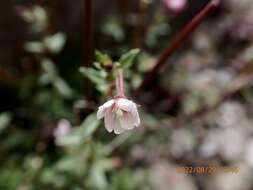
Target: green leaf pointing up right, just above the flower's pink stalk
127	59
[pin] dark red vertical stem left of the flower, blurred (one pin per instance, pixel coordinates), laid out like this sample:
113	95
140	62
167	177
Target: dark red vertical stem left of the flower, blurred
88	41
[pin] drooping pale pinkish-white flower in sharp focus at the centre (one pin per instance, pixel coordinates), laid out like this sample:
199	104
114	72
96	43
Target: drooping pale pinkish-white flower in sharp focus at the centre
120	114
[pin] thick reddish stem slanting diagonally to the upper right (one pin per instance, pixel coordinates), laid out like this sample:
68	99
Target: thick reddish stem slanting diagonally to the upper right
178	41
